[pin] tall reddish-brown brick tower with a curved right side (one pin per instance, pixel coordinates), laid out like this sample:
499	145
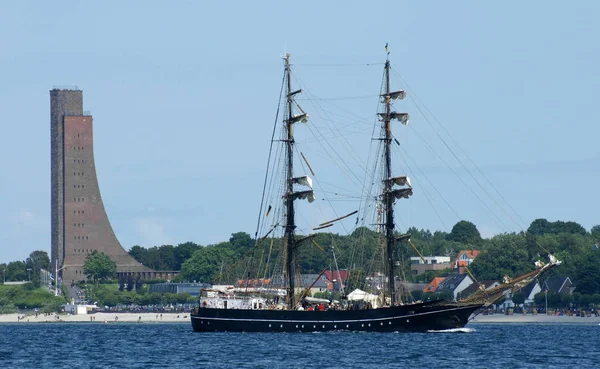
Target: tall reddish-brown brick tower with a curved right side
79	222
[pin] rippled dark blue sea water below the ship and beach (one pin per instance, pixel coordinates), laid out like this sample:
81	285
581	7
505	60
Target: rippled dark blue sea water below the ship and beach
155	345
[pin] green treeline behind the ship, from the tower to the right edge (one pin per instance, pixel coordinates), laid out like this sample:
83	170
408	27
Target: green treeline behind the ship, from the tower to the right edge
504	254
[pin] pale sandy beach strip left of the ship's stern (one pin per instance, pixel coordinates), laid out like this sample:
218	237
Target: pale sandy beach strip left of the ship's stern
98	318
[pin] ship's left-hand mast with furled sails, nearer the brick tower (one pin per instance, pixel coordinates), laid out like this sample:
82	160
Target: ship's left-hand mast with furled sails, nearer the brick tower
290	180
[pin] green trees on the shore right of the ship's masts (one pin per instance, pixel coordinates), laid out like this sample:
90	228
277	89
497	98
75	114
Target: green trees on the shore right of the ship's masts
514	254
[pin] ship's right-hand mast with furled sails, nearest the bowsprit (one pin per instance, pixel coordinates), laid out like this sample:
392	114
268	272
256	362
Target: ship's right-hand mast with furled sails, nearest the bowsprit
389	193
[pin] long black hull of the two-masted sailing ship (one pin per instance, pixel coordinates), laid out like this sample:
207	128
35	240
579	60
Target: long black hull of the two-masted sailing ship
421	317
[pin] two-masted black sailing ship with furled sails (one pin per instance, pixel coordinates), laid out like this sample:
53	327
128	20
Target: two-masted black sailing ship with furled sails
283	307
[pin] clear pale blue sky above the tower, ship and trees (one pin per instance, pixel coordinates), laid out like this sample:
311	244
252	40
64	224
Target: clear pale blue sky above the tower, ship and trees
184	93
